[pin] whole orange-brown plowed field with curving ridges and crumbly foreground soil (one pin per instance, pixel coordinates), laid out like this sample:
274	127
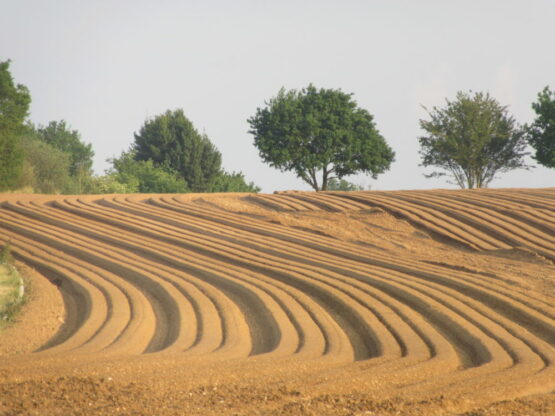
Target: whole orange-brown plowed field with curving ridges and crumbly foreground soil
299	303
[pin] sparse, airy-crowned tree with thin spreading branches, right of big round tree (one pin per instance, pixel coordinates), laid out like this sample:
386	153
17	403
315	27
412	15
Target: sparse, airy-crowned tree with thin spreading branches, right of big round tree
472	138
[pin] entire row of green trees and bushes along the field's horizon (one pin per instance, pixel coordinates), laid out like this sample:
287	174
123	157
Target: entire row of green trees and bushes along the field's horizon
321	135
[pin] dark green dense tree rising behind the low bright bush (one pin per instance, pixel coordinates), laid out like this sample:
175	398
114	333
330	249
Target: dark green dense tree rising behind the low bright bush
170	141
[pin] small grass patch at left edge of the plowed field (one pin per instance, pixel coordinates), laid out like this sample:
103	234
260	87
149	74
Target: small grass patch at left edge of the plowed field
12	295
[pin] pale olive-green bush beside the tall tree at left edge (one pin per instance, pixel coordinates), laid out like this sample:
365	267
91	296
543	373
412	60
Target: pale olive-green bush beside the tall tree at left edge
46	169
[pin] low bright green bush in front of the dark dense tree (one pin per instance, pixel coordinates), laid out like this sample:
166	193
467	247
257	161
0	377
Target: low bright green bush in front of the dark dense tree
144	177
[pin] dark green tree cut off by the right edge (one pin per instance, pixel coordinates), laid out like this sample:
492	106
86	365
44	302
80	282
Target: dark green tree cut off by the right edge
541	134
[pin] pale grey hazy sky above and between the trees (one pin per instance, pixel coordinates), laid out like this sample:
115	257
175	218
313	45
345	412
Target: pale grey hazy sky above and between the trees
105	66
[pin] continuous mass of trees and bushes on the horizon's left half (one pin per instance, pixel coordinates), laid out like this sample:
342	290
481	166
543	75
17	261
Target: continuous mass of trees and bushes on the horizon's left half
168	155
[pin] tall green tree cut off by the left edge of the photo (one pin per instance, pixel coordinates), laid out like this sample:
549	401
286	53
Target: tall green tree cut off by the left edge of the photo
14	107
